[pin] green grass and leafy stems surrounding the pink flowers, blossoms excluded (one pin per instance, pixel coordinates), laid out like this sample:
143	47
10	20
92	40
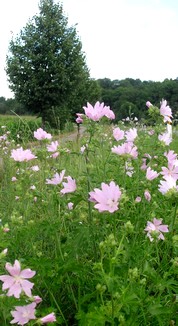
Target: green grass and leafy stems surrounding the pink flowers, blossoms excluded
92	268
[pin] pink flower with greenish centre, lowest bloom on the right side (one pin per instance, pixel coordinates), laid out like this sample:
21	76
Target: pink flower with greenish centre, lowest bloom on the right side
156	228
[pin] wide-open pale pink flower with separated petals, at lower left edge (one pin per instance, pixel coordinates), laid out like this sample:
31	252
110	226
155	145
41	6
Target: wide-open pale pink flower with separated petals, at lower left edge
16	282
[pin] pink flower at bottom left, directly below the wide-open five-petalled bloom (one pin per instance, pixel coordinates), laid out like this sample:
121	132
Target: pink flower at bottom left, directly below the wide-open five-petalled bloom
23	314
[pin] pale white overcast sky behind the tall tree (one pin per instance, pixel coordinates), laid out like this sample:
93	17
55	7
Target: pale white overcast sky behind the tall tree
121	38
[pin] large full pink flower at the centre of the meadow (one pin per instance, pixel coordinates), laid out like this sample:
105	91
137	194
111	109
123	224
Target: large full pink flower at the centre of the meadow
106	198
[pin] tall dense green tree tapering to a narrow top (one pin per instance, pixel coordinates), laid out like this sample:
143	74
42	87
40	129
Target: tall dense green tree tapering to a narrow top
46	66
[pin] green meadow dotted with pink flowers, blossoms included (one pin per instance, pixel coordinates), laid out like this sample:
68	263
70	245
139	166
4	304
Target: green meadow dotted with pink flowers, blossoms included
88	232
